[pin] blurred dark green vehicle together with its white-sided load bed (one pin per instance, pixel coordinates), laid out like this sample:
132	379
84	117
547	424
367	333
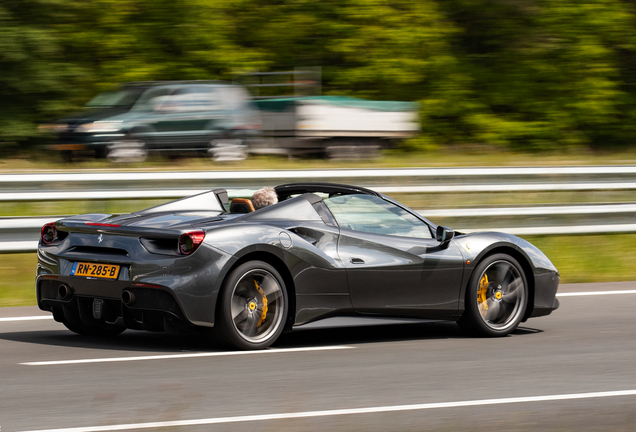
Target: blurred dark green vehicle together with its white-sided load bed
225	122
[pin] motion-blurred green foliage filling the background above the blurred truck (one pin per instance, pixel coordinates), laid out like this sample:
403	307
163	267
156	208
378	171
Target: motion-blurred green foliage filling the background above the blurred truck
526	74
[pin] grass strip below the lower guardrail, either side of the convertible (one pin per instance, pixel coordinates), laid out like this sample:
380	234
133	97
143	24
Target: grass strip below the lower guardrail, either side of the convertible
588	258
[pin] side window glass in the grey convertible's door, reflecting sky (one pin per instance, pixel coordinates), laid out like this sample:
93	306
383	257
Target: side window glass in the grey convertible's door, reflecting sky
371	214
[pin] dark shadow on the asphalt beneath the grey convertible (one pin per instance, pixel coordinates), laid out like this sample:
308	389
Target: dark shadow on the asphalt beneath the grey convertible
142	341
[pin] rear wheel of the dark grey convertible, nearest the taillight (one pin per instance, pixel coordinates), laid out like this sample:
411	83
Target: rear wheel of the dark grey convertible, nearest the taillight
252	308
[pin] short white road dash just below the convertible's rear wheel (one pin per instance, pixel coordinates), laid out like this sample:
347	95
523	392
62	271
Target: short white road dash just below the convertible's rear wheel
191	355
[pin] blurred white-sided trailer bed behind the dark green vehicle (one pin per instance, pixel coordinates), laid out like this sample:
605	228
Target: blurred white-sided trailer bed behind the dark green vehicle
335	126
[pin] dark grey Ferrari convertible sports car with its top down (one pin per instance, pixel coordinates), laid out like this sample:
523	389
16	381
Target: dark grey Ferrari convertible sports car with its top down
324	251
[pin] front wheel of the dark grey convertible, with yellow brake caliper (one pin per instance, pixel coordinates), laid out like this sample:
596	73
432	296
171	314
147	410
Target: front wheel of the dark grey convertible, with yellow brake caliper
496	297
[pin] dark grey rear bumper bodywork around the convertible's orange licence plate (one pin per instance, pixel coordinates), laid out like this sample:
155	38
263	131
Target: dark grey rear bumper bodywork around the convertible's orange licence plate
186	287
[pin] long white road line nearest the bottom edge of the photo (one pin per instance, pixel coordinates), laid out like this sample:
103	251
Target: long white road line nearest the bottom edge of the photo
370	410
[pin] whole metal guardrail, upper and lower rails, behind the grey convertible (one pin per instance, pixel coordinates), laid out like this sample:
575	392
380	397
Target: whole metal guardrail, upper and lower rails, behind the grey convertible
84	186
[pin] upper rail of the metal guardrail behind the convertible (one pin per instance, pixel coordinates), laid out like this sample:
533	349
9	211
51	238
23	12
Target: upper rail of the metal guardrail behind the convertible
154	184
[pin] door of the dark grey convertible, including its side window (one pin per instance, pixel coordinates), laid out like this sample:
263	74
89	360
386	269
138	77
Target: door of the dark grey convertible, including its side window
394	265
